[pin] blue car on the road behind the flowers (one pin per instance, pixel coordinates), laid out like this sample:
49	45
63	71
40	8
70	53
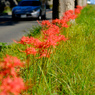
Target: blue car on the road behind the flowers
29	9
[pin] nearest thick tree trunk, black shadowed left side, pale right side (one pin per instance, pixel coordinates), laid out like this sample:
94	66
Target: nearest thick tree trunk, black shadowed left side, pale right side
60	6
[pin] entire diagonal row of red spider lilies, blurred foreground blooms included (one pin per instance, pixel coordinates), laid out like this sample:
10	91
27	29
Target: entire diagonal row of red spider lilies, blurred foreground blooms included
40	48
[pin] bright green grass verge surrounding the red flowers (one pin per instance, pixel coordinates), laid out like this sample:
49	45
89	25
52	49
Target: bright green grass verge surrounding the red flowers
71	68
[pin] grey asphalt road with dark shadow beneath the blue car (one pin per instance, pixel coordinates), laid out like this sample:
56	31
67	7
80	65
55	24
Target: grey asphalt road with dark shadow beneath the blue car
14	30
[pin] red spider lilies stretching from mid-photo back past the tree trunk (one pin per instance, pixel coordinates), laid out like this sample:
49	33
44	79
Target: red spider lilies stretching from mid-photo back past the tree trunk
51	34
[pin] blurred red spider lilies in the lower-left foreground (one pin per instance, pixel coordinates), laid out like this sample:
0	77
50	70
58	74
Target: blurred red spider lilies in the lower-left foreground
10	82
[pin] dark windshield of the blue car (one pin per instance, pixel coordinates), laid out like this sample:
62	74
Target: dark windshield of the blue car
29	3
